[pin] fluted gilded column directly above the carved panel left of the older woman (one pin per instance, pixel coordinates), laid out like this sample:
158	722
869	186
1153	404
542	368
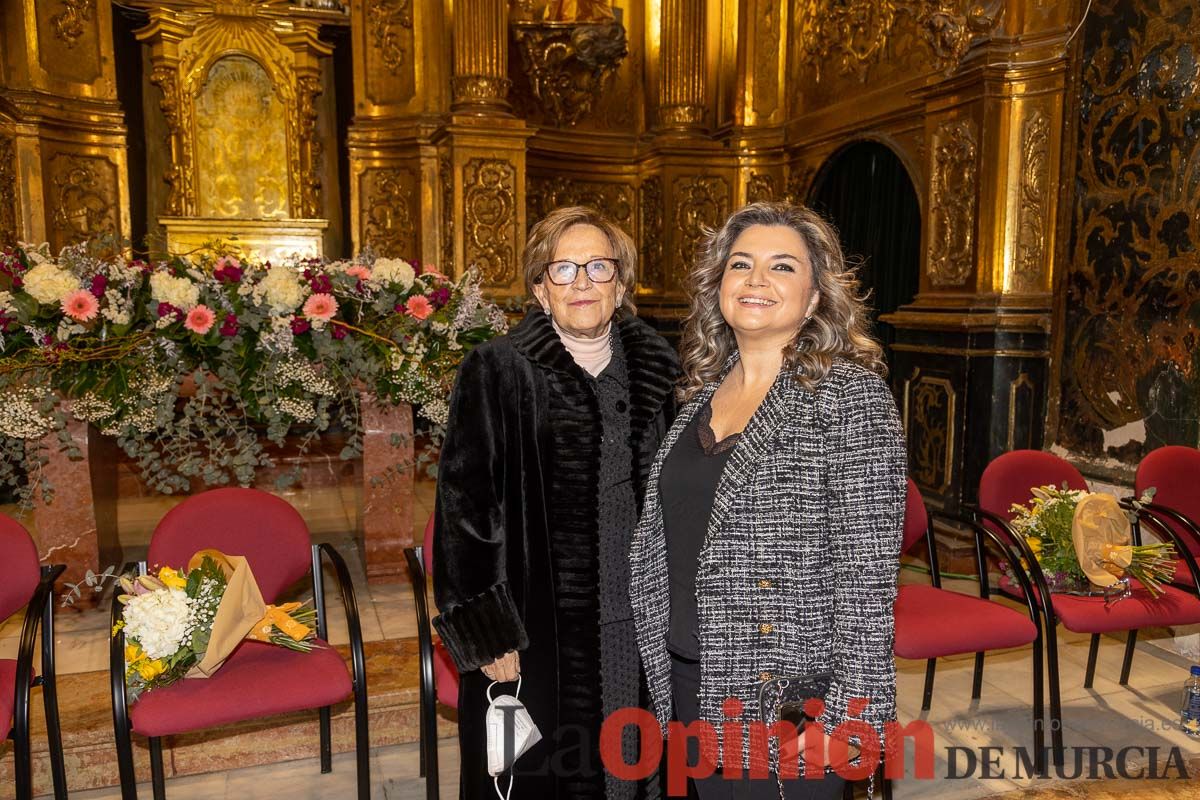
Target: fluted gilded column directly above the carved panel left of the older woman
481	80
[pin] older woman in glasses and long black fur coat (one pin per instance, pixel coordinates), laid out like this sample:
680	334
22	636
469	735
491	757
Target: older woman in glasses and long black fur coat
553	430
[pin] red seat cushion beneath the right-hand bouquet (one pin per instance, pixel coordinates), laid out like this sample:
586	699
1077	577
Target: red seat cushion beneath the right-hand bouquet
1091	616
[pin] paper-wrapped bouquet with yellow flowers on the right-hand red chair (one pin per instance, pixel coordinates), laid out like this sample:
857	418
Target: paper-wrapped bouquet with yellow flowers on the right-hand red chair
1083	543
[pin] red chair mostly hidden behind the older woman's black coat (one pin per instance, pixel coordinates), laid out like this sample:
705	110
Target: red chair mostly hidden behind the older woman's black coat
440	678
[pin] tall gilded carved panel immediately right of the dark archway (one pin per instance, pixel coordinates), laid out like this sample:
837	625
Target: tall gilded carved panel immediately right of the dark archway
953	204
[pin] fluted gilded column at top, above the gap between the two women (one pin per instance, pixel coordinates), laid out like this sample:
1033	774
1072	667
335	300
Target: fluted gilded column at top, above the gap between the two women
682	86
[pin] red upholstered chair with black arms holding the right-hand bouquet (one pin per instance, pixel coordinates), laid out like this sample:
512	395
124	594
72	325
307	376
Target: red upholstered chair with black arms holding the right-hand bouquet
1007	480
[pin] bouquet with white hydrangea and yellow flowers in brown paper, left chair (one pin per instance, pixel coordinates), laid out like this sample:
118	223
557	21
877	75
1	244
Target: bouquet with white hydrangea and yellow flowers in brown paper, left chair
185	623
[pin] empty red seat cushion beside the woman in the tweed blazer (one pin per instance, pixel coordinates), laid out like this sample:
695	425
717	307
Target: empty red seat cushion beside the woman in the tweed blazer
933	623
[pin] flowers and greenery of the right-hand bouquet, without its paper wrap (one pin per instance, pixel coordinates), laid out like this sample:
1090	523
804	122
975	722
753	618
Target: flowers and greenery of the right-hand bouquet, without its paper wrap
1048	526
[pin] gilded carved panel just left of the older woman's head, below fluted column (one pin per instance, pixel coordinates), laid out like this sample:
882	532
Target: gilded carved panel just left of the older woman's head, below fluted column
490	220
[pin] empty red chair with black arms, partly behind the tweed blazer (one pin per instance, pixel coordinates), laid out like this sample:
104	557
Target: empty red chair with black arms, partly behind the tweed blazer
933	622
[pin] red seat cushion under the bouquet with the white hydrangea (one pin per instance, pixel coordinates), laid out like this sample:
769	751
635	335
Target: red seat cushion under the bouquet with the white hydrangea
259	681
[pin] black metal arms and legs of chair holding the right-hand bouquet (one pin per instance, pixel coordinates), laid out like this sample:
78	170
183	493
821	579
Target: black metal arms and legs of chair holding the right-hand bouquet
1046	601
